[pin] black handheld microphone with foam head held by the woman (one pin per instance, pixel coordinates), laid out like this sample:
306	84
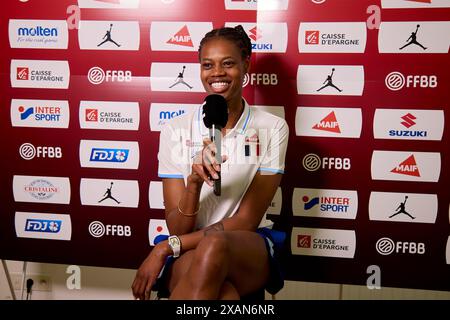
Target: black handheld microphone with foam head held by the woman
215	117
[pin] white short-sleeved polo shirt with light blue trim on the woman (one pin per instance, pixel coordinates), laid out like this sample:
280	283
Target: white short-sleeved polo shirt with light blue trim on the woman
258	142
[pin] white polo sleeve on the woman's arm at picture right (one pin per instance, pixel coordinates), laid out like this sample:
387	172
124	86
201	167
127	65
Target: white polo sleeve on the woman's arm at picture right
274	158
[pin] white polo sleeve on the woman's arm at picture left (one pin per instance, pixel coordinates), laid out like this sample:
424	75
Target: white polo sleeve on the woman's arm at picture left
170	153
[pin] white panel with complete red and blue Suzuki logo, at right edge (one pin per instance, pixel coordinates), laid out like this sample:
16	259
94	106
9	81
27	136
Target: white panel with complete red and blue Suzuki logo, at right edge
408	124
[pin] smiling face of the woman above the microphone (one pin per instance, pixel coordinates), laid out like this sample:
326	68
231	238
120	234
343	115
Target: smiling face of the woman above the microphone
222	69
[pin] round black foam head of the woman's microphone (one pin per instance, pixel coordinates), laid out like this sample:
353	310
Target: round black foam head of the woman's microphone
215	111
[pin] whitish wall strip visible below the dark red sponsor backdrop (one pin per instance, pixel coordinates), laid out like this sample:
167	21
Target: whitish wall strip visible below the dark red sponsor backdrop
115	284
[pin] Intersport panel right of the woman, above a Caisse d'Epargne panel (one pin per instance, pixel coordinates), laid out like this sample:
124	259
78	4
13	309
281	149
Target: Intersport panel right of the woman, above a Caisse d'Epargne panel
325	203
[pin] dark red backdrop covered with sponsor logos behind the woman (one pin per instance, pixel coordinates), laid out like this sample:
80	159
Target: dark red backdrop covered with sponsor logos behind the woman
364	85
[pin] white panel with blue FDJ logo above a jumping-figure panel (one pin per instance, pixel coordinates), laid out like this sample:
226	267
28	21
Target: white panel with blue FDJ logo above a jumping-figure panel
109	154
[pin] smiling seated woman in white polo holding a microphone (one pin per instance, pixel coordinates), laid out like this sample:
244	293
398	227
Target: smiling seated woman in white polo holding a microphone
221	247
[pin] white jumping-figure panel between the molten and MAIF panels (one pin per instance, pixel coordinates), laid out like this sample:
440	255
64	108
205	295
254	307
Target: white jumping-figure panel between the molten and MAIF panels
108	35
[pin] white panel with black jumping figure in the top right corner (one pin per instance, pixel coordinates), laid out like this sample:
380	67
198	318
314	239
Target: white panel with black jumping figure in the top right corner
414	37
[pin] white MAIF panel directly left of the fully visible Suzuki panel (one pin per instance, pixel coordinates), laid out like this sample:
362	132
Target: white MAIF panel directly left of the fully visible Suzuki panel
328	122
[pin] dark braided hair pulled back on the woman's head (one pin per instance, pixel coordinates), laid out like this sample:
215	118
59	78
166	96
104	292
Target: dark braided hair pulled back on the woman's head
237	35
